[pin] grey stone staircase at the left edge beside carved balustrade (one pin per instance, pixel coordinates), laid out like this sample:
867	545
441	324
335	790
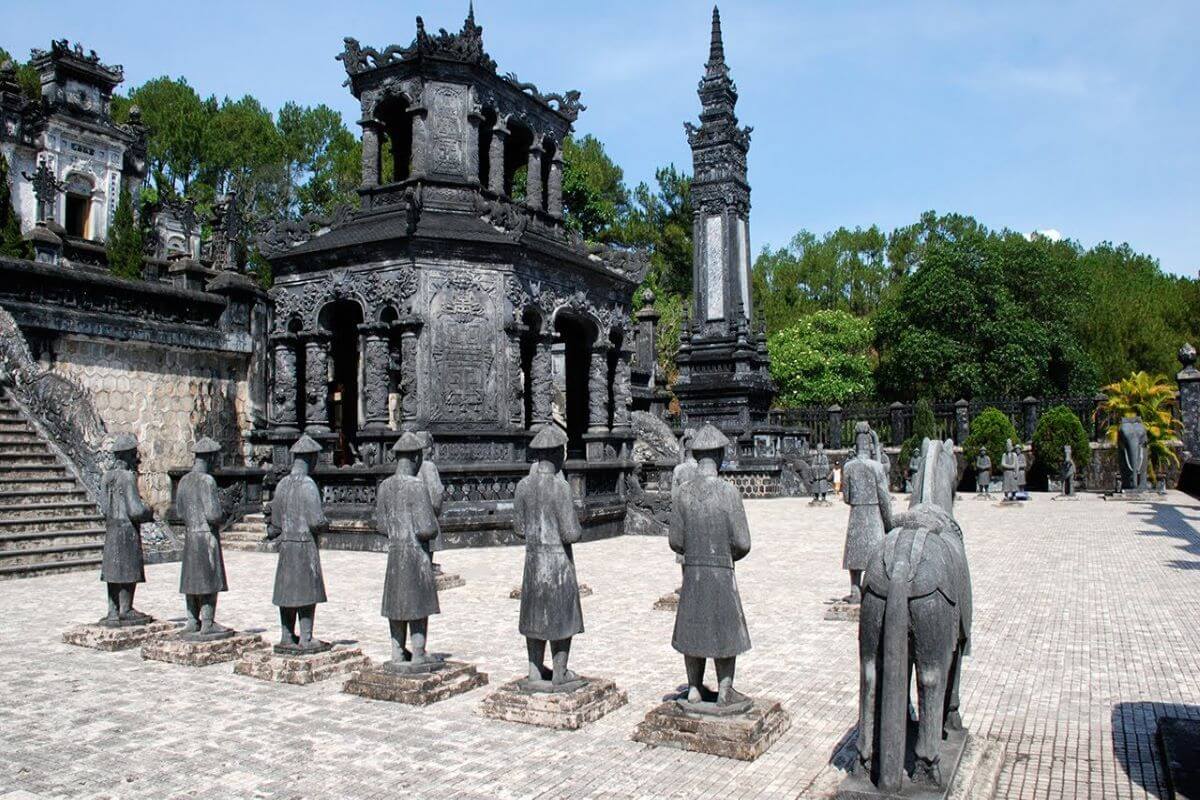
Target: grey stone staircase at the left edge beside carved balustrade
47	524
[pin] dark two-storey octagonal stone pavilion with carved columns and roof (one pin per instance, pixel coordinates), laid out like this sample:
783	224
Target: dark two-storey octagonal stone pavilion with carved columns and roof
454	300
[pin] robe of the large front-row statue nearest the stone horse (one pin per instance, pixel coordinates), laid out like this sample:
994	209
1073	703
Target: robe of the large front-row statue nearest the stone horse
709	527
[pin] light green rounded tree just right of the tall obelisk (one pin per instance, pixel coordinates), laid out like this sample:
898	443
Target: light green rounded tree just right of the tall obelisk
825	358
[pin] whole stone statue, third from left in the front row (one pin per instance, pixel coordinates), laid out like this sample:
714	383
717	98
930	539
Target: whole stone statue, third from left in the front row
297	515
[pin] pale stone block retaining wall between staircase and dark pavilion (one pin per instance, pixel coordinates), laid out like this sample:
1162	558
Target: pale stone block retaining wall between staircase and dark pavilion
166	396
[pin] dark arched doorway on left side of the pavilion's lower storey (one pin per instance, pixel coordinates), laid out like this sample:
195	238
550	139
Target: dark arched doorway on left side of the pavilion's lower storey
341	320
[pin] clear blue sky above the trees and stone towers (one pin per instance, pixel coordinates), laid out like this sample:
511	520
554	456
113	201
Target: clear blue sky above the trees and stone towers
1081	117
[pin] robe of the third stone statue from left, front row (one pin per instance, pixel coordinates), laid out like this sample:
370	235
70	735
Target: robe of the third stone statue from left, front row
297	514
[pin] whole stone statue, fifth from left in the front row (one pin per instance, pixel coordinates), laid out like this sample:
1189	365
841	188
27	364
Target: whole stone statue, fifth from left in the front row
544	516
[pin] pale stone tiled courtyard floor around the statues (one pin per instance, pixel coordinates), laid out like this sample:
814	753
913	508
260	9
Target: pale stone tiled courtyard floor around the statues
1087	630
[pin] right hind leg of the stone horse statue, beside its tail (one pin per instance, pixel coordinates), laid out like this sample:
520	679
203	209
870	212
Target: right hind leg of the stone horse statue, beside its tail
935	634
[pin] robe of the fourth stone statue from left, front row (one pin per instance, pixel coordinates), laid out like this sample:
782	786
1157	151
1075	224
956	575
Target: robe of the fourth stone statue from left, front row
405	514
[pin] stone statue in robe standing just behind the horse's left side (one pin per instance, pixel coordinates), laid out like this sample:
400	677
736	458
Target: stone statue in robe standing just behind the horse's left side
865	488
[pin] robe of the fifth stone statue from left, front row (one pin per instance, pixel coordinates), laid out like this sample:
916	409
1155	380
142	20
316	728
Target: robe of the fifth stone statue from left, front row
544	516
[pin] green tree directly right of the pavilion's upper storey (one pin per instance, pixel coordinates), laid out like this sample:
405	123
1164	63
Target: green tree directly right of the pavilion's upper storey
595	196
